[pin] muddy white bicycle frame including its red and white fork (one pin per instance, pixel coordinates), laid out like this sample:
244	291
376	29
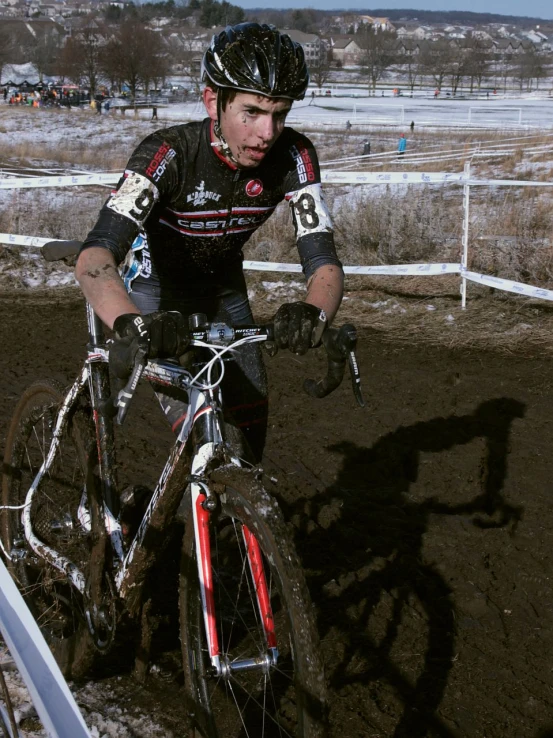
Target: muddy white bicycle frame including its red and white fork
204	421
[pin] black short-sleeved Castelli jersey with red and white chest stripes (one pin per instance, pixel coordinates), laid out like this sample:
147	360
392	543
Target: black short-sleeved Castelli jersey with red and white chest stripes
186	212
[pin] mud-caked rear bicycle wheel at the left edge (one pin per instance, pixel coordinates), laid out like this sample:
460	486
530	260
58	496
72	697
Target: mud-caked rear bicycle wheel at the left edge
56	605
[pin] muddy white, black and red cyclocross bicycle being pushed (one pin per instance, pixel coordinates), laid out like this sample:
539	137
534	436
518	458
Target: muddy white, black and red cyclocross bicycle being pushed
249	642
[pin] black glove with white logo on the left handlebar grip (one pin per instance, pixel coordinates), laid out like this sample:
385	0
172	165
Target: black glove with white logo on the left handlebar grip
163	334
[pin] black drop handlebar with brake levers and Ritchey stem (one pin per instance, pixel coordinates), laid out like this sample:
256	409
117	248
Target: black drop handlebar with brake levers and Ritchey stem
339	345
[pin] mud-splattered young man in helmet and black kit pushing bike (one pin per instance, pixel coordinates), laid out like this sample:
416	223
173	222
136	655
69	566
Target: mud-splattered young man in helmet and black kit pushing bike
190	198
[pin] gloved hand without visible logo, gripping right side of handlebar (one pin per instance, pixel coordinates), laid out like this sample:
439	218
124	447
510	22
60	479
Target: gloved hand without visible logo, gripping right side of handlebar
295	325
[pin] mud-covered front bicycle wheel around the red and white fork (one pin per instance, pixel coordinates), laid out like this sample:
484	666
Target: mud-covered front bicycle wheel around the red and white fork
289	700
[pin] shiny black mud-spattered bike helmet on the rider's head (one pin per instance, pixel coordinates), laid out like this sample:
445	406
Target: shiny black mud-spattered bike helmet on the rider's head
254	57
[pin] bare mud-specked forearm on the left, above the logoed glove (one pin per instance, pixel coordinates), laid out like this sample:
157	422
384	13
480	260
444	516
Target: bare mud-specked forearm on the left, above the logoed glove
98	277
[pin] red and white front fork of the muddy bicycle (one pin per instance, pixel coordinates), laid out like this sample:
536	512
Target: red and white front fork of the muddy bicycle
204	503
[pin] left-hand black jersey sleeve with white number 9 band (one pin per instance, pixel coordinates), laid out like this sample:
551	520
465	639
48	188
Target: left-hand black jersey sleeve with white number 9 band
151	175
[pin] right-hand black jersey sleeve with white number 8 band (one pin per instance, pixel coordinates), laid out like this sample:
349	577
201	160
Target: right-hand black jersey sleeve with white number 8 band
312	221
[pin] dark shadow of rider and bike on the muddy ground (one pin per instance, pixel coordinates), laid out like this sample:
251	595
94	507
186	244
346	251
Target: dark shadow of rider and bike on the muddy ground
371	582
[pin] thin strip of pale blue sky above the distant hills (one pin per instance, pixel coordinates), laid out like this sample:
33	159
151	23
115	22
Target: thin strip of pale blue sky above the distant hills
531	8
